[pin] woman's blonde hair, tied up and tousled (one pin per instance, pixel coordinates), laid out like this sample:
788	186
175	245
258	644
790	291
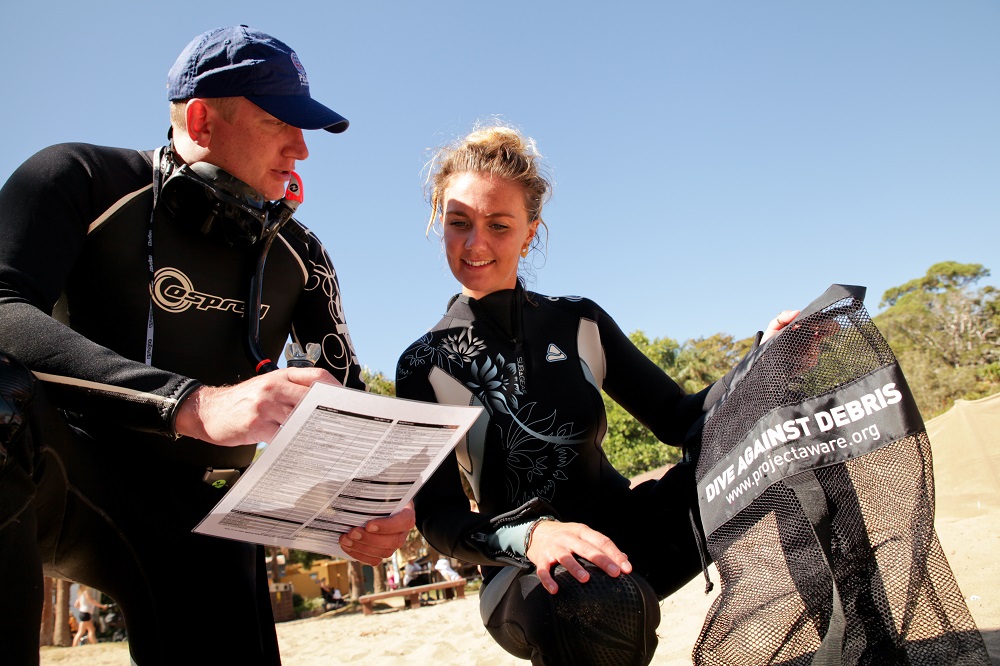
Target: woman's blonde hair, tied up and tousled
497	150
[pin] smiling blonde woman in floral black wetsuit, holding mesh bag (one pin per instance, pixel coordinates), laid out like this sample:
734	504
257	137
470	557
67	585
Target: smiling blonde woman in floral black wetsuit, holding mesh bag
550	505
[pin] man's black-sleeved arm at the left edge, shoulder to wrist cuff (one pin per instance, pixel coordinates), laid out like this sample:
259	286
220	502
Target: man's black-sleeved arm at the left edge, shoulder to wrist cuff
46	207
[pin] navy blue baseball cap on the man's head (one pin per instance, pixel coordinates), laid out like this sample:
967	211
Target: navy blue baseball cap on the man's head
242	62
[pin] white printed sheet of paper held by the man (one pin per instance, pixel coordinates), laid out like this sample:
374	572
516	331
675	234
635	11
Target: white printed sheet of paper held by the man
342	458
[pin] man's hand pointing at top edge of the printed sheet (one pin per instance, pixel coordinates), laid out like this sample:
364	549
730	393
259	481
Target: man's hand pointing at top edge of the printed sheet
248	412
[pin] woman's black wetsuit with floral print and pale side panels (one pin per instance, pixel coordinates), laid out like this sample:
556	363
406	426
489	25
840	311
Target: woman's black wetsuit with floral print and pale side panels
537	365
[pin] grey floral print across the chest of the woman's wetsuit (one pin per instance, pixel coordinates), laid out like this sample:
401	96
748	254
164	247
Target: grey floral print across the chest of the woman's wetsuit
538	448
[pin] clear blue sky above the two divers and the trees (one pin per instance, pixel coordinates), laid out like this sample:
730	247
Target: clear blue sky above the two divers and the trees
714	162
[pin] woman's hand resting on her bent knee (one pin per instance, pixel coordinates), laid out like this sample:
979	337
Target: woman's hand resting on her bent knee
553	542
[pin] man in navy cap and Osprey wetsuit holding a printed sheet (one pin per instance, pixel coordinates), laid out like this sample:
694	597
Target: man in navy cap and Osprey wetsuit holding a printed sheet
125	289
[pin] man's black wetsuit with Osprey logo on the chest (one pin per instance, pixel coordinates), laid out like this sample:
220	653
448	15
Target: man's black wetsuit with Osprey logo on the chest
114	492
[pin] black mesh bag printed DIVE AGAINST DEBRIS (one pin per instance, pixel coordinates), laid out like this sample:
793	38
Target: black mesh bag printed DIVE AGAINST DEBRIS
817	499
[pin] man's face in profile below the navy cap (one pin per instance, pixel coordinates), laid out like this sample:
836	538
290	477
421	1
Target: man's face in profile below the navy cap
255	147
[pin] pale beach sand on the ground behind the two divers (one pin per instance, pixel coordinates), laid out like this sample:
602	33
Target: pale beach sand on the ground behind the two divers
448	633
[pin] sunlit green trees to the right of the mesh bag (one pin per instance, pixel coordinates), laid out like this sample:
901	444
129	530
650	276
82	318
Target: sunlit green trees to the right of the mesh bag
945	334
